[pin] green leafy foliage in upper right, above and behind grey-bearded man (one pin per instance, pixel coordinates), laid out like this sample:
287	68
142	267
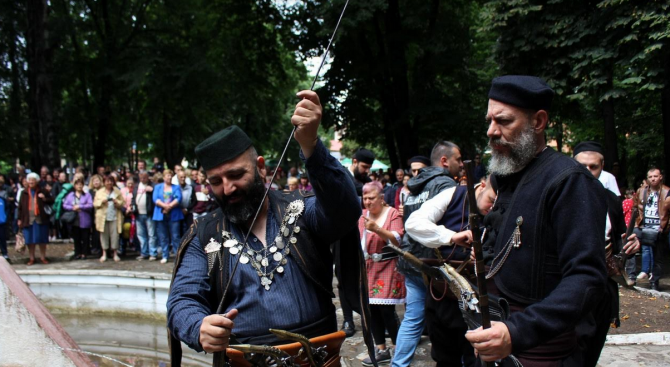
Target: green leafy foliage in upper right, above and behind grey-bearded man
607	61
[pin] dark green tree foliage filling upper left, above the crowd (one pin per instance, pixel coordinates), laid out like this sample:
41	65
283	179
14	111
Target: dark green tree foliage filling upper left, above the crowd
161	74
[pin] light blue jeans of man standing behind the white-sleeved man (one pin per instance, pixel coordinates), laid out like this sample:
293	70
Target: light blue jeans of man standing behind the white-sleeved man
411	327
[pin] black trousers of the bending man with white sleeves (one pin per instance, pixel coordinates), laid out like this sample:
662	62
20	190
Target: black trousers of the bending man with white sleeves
446	330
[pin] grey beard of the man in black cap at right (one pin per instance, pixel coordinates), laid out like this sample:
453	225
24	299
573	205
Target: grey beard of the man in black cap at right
520	153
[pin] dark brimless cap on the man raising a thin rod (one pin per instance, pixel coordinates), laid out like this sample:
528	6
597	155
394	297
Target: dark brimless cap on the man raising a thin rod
222	147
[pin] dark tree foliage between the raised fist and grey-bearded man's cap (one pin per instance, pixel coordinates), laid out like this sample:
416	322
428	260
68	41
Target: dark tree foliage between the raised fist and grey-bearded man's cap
403	75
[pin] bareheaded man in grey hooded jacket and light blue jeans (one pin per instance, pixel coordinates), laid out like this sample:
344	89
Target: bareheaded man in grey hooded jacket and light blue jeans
445	160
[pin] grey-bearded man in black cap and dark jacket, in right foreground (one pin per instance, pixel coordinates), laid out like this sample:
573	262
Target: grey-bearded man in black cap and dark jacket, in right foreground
544	233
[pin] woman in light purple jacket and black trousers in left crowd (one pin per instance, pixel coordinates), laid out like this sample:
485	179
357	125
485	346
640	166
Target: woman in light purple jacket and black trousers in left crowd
82	203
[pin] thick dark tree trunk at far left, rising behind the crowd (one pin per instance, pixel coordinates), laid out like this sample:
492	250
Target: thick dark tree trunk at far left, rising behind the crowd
44	137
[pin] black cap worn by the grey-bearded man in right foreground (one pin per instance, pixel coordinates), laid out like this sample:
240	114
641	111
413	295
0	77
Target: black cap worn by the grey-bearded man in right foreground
523	91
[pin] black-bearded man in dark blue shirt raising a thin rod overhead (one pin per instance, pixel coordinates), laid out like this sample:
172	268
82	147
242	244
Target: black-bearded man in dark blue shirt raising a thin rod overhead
284	275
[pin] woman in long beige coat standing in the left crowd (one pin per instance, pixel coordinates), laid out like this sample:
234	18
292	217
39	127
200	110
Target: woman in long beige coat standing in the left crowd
108	217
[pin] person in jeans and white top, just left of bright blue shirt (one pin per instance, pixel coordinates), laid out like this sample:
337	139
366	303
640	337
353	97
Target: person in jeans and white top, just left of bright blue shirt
143	207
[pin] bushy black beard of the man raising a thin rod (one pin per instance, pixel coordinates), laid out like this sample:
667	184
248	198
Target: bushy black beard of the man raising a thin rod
245	209
